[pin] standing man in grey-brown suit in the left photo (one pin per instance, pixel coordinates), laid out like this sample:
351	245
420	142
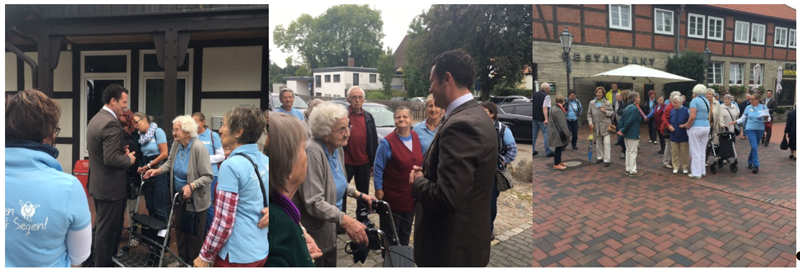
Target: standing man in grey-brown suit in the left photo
108	161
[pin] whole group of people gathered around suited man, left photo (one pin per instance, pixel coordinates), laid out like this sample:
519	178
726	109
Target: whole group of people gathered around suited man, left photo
219	179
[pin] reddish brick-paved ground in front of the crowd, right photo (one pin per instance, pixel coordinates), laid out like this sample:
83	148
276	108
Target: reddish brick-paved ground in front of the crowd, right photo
591	215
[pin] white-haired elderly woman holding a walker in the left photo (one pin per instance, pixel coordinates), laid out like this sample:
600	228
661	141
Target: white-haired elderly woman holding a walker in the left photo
189	168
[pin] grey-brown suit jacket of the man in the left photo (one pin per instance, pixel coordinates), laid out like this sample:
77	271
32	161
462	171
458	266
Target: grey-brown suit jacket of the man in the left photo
107	160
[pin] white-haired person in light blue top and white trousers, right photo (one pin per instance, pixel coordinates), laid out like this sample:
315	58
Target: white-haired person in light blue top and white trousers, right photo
698	127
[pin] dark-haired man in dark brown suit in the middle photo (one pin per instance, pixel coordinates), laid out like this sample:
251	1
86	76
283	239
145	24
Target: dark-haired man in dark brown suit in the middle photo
454	185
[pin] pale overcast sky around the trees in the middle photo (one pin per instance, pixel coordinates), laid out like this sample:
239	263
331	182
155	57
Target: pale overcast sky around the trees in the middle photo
396	16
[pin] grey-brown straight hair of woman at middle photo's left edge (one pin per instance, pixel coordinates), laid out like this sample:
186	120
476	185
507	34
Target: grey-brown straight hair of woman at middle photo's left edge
287	135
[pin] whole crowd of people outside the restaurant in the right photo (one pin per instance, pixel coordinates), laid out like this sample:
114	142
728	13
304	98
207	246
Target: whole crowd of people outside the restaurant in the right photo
683	128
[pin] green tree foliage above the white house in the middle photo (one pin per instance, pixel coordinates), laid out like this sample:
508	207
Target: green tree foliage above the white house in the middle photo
342	32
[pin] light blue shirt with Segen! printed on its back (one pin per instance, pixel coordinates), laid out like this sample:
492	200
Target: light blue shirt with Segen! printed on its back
42	205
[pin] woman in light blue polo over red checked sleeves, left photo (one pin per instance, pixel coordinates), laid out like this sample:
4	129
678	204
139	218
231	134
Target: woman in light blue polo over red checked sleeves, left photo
240	197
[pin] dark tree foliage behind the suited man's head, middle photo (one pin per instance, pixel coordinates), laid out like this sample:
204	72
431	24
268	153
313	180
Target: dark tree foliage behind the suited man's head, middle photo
498	37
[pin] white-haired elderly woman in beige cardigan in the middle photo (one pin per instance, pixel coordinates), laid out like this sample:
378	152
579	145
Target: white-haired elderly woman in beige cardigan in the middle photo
320	197
